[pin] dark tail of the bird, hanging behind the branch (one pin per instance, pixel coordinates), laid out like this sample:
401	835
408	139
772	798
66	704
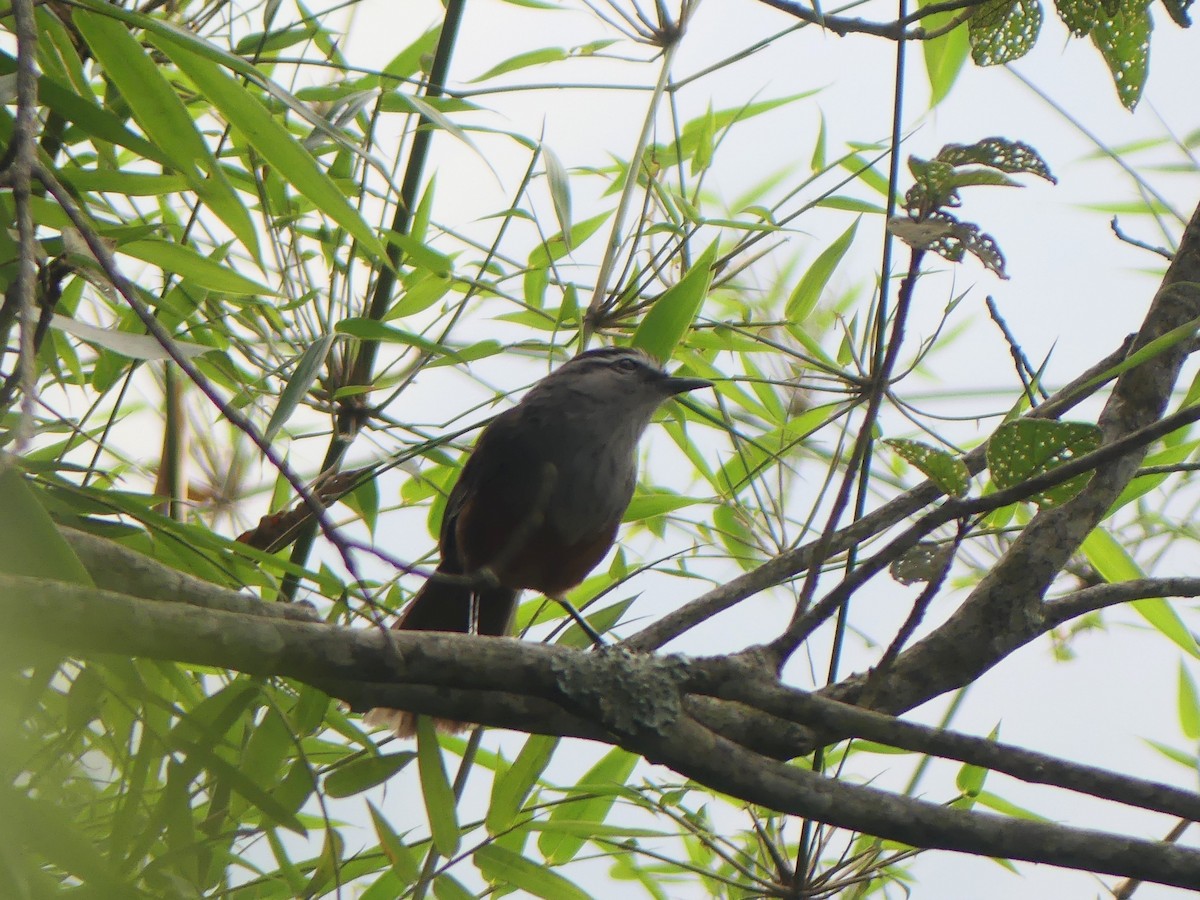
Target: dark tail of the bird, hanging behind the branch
446	607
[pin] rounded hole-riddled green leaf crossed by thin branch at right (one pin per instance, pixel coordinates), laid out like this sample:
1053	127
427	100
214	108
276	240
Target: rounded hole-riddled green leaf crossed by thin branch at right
1022	451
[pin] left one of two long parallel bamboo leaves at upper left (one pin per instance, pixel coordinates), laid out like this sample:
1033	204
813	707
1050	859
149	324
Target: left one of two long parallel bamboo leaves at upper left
165	119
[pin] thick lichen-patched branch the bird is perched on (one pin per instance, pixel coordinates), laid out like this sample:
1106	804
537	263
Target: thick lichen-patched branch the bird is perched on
621	698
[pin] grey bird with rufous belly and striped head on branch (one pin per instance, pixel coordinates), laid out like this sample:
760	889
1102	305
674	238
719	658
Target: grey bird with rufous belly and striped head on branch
538	502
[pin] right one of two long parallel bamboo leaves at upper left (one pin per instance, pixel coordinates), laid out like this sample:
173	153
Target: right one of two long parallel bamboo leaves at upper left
275	143
